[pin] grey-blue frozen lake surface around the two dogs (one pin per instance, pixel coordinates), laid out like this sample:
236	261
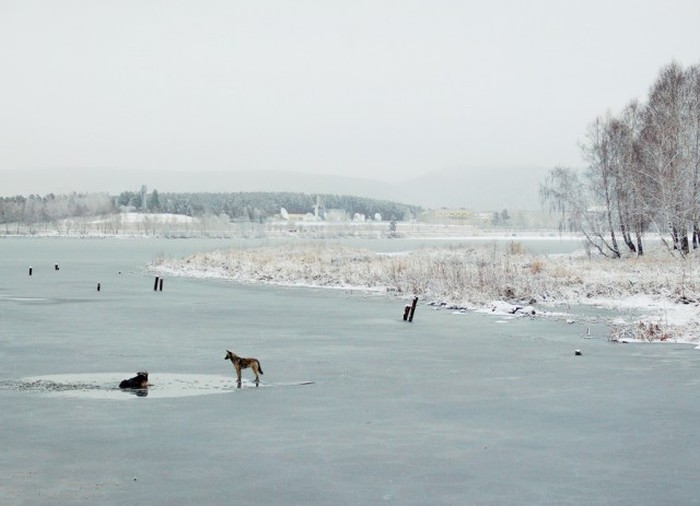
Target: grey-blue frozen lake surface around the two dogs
450	409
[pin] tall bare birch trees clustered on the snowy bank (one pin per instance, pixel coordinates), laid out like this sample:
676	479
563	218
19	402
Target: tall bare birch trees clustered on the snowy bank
642	174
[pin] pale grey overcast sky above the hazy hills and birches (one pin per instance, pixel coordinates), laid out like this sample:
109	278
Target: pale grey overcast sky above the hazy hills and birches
368	88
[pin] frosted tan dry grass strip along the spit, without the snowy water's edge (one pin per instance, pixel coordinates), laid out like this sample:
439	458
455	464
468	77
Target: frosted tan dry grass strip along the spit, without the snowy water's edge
457	277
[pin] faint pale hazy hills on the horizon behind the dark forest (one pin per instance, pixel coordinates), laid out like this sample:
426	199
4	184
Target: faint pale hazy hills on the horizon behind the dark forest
485	189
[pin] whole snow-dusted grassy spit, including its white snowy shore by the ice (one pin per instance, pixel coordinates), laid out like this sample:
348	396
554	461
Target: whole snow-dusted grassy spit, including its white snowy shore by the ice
660	290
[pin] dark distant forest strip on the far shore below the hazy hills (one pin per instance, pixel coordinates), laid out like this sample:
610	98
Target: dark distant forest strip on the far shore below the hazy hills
241	206
